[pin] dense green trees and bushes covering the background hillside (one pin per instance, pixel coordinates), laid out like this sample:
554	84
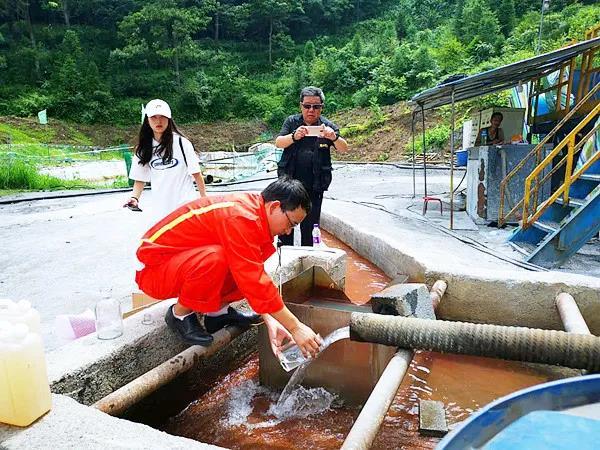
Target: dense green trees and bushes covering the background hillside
95	61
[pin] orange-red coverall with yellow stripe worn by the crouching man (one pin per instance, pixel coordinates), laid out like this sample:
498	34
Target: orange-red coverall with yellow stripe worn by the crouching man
210	252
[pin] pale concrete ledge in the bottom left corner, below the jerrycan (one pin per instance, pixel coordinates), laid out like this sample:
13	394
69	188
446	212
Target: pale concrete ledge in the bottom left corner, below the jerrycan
72	426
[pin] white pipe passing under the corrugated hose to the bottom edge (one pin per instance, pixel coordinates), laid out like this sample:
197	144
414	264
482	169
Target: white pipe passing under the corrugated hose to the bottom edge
369	420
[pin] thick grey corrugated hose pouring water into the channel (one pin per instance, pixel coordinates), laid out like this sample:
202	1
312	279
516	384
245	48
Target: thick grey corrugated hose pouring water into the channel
515	343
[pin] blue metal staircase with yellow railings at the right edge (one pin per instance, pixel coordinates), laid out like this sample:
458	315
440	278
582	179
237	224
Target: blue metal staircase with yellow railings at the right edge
553	230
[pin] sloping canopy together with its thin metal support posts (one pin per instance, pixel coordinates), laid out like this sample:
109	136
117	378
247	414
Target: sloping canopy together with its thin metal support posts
483	83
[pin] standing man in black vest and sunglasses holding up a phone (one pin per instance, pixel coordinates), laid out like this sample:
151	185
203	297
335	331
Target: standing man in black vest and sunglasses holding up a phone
307	154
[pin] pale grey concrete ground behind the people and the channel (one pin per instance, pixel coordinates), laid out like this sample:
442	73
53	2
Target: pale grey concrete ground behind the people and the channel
65	254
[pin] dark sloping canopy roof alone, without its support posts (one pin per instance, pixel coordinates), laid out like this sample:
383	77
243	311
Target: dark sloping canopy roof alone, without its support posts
501	78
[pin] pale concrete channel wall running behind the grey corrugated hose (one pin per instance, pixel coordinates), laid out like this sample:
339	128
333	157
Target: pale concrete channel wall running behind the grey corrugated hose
505	296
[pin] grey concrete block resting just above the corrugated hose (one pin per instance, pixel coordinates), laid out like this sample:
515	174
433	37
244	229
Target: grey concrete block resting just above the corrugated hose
408	300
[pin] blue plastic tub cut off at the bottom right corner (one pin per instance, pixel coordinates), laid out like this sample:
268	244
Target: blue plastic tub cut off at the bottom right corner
560	415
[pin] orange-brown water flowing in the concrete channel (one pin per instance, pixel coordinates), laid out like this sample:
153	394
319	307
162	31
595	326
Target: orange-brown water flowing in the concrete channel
462	383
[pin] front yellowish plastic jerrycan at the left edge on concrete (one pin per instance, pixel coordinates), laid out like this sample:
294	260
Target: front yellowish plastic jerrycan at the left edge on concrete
24	390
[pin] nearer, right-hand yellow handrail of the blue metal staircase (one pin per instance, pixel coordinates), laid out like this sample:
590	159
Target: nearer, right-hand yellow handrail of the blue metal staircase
569	142
